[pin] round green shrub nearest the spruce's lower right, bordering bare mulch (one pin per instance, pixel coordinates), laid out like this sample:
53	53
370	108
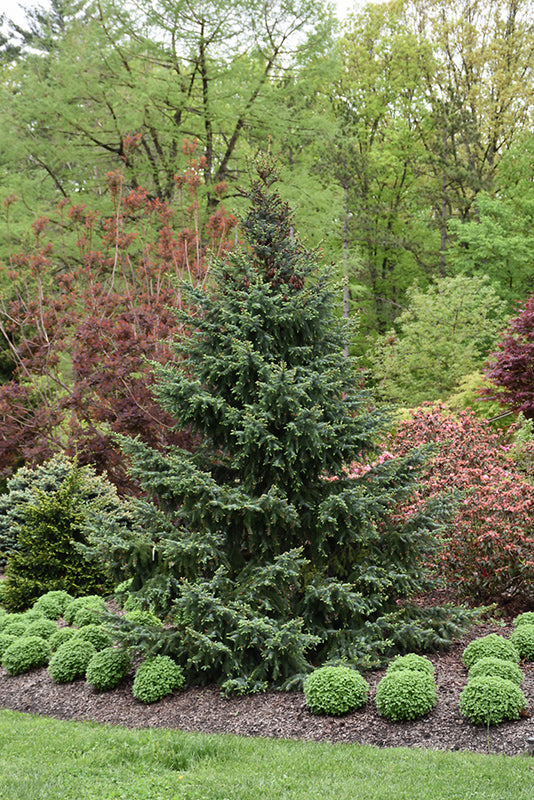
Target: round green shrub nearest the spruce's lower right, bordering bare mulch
335	690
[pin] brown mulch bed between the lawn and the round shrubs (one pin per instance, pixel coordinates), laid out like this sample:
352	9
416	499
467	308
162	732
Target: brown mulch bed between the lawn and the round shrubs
279	714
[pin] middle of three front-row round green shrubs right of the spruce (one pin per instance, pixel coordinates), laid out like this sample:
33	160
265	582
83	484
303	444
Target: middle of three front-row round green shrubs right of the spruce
406	694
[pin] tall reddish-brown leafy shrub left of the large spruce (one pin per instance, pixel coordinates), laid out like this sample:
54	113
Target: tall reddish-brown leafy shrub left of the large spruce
90	308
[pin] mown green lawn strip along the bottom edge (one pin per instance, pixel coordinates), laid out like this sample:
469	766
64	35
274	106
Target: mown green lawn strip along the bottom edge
45	759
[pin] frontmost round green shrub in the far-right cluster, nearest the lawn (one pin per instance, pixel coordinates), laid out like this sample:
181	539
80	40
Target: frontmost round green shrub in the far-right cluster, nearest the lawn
489	700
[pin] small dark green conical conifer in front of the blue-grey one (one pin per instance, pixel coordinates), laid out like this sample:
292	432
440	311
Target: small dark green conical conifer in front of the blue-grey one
48	557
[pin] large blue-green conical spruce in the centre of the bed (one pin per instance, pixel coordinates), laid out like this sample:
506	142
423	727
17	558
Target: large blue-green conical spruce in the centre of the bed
265	553
